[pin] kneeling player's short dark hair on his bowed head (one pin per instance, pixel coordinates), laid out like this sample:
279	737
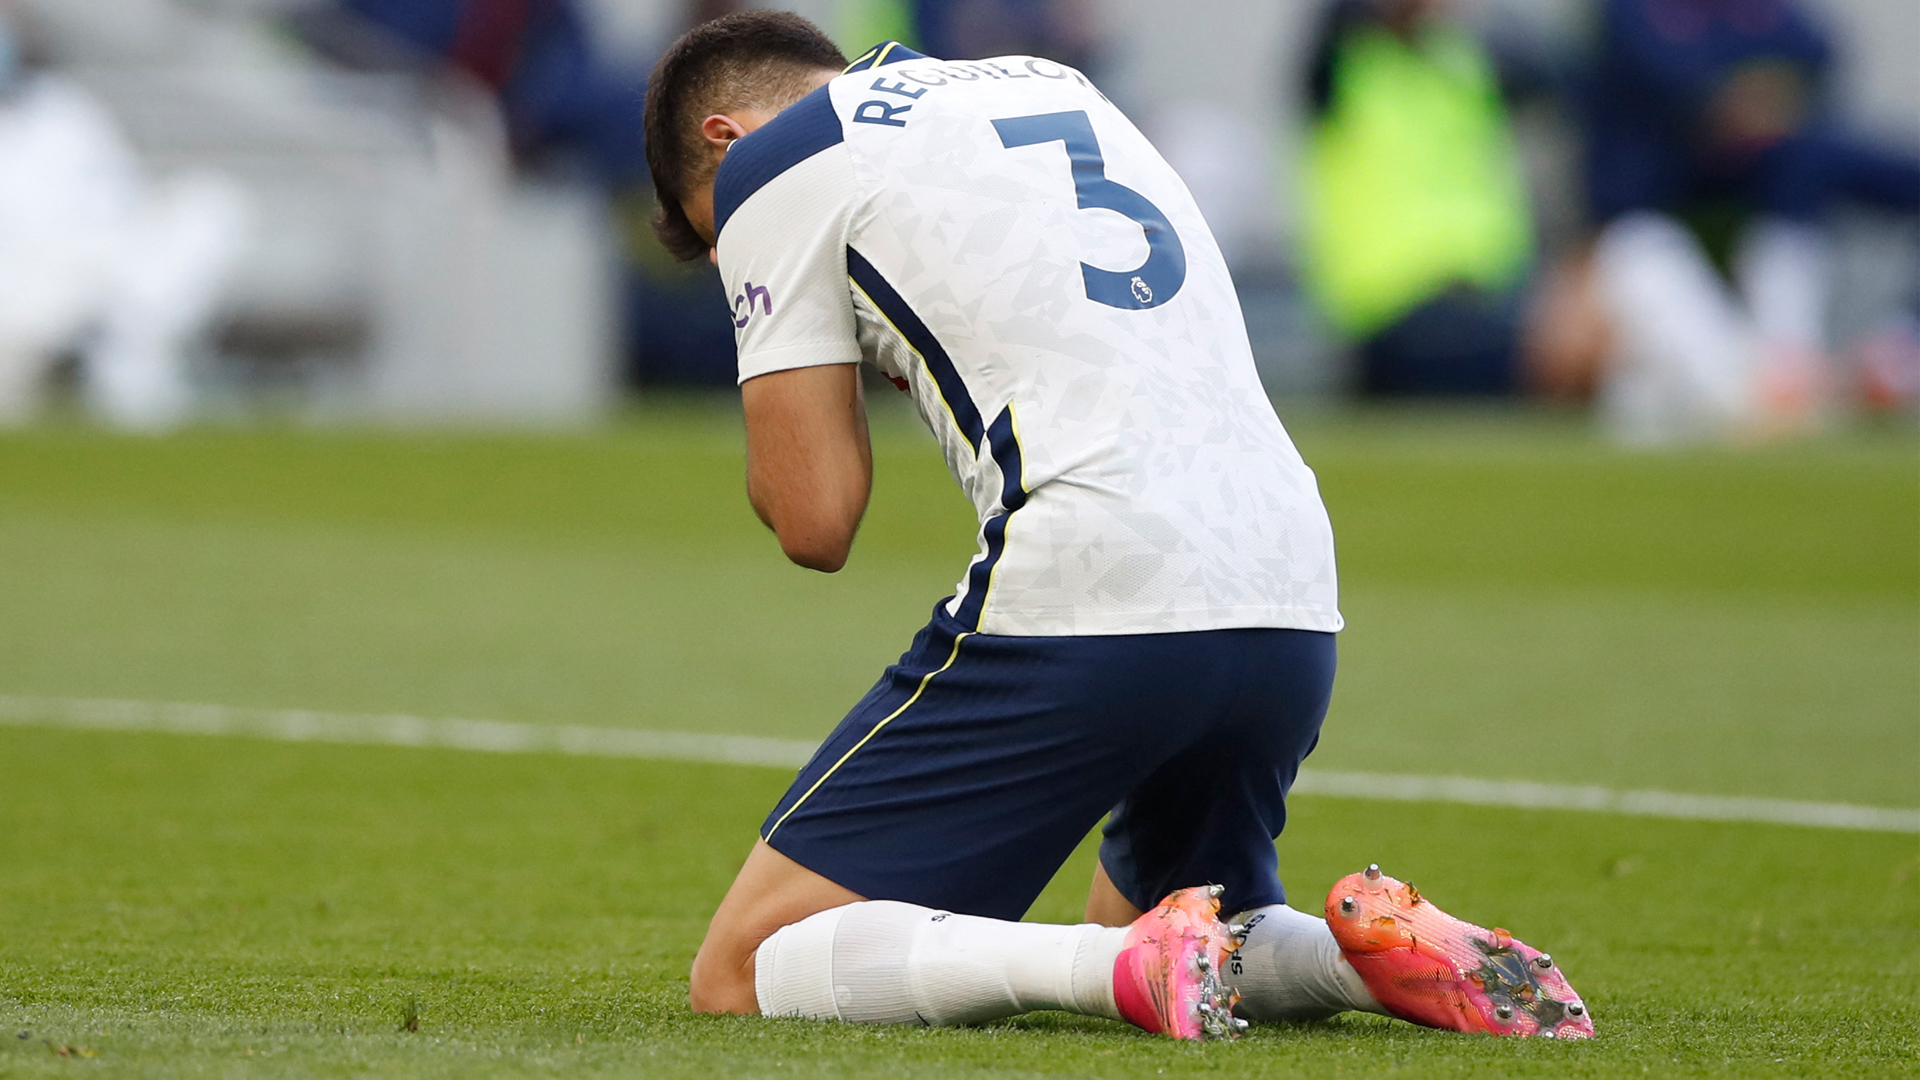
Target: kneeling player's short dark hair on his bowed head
748	61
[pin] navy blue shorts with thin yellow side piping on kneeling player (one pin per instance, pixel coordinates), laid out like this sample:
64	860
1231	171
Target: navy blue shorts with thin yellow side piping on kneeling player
978	764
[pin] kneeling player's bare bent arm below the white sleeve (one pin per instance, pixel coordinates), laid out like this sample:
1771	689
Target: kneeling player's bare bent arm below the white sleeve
809	460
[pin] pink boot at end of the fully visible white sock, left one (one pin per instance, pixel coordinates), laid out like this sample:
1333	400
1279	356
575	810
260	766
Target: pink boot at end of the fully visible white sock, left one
1166	977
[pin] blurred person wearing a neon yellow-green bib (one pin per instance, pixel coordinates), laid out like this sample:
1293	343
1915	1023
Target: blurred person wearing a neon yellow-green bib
1418	237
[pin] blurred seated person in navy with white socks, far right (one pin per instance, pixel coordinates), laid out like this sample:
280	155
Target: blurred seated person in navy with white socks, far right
1714	155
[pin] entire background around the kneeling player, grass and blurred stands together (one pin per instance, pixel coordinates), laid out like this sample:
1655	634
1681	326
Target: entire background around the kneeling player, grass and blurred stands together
450	445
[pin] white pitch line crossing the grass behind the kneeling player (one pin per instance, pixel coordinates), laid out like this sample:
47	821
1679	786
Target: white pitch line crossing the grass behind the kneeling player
494	737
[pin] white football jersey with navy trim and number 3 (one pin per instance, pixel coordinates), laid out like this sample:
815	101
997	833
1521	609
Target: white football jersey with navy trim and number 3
999	239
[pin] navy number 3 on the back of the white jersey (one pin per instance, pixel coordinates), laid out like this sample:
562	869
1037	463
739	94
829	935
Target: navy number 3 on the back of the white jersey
1155	282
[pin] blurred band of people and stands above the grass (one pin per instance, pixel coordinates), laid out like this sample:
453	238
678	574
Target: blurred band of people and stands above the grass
1700	216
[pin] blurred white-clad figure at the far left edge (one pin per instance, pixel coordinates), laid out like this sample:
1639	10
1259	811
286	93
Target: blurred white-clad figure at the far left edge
95	257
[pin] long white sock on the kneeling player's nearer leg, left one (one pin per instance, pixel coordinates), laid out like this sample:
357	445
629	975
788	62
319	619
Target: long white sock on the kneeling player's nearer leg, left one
882	962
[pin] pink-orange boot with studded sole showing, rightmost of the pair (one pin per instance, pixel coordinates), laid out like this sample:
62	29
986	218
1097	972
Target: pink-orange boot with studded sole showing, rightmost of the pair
1433	970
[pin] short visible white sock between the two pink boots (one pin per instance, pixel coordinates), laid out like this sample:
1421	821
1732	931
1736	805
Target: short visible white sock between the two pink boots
1291	970
